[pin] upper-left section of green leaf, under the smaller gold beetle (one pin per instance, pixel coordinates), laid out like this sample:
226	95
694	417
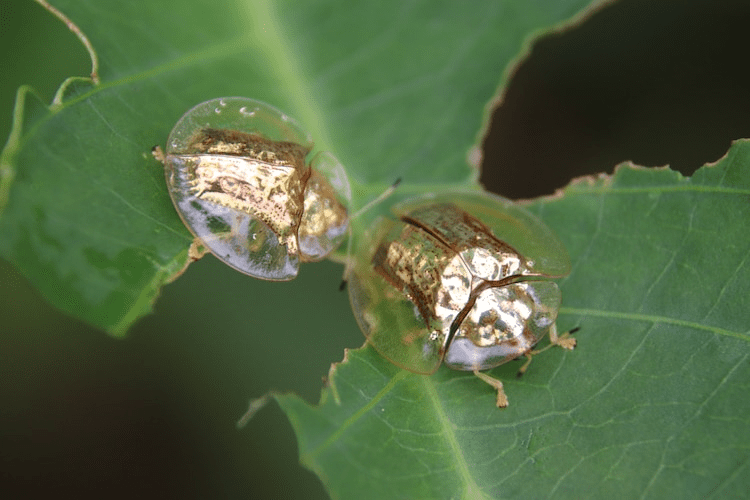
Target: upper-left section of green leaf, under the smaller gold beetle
394	89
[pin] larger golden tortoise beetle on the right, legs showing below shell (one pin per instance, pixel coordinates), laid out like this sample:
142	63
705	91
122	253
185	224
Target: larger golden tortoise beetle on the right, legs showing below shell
460	279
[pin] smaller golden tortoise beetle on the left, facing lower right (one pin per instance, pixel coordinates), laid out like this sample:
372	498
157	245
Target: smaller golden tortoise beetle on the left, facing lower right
240	178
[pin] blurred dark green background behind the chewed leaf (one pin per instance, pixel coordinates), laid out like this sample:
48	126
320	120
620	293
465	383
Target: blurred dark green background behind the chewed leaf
153	415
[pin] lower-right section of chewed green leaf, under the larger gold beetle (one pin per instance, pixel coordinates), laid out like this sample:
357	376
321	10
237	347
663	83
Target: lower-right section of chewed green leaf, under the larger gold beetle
652	404
